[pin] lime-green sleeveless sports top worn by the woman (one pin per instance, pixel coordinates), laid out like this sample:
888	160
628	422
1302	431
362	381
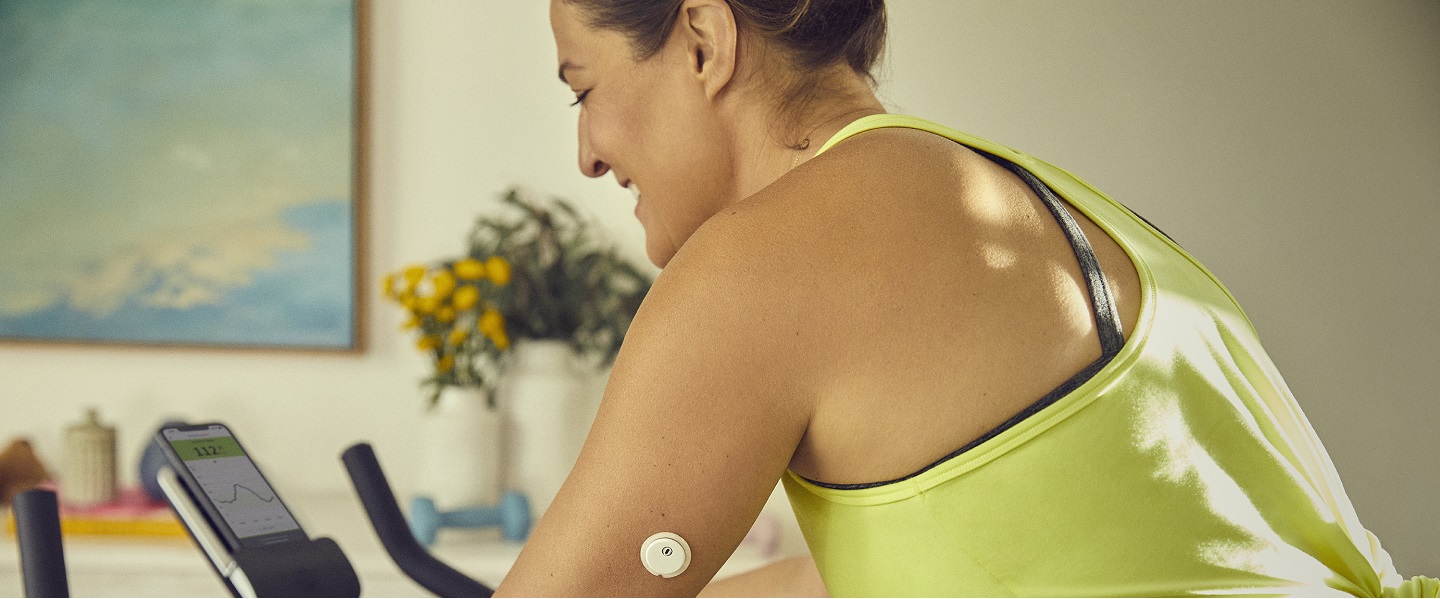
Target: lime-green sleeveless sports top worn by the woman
1177	464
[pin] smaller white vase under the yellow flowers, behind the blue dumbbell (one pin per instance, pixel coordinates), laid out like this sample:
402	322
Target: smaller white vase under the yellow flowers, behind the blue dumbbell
462	451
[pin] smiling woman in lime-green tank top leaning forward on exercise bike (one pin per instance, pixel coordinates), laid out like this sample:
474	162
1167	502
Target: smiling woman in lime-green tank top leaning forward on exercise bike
974	374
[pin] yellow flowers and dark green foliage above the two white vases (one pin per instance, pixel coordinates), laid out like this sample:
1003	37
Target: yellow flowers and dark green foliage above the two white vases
541	273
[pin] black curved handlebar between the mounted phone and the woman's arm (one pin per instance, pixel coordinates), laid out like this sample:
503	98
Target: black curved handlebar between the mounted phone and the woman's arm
395	535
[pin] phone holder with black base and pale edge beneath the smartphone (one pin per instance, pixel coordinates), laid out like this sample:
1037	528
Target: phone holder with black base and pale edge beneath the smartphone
313	568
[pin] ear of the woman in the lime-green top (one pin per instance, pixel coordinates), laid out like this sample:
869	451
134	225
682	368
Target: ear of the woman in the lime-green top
709	35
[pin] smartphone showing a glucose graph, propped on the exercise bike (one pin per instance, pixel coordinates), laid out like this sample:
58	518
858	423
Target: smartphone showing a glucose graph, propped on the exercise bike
227	485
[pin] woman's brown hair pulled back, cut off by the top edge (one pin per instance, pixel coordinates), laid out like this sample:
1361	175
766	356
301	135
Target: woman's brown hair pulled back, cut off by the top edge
816	34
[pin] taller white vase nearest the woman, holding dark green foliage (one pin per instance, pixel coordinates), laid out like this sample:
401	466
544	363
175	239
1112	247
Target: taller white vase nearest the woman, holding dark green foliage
546	417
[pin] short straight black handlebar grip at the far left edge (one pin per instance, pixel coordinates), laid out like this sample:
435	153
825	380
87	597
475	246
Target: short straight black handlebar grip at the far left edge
42	555
